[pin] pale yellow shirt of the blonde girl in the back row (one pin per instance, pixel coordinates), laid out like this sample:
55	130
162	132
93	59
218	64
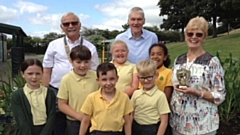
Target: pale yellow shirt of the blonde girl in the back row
125	73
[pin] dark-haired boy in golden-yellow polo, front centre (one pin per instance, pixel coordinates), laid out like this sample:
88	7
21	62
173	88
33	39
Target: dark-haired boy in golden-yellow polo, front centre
108	109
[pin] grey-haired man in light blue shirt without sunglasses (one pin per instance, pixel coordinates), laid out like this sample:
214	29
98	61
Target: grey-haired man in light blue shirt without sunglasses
138	39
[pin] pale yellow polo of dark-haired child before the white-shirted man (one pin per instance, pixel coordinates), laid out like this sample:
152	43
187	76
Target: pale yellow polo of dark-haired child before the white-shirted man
75	89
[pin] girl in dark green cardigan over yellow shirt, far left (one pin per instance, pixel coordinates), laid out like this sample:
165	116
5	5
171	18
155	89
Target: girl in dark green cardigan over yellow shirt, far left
33	106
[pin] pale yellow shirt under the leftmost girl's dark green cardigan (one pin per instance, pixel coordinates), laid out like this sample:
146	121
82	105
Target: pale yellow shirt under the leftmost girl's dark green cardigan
36	99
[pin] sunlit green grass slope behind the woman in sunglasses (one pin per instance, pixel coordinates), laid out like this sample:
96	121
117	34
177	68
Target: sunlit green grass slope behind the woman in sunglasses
224	43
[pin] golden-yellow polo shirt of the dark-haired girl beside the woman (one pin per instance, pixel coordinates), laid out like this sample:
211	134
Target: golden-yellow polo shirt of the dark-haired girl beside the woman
164	78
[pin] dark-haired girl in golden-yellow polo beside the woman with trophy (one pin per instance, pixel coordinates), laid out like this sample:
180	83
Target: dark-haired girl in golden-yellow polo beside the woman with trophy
159	54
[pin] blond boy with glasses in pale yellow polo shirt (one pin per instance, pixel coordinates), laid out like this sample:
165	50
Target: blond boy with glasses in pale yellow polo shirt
149	103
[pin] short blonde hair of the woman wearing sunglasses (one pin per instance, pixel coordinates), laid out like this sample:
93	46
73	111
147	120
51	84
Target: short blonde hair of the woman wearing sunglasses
198	23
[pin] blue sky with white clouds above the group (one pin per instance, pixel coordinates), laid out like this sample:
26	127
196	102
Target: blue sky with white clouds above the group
39	17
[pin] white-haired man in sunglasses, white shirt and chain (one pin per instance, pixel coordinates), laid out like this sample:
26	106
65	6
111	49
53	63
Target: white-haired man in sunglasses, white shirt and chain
56	60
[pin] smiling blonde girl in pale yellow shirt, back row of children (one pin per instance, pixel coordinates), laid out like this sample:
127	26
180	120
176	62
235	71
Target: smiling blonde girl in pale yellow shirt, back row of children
128	81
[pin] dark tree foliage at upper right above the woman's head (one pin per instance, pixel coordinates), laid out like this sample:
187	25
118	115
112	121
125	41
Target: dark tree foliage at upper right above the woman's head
179	12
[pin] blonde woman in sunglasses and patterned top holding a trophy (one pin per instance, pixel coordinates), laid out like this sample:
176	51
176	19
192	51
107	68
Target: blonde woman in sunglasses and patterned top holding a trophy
195	108
